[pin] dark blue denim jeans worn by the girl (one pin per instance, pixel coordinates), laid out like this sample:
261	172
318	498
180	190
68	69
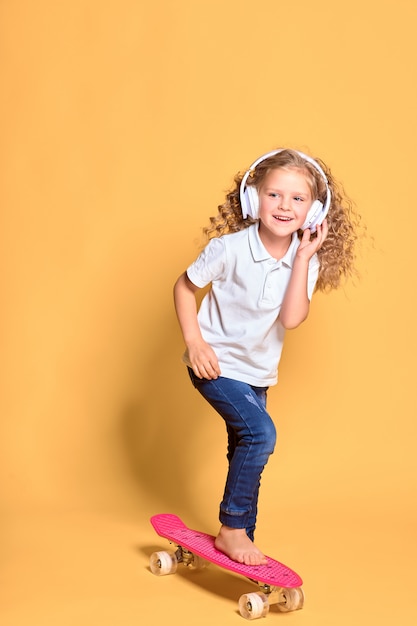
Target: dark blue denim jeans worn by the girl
251	440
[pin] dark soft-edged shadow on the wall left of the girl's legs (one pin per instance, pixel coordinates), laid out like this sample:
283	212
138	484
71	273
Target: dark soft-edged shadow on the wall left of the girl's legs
161	428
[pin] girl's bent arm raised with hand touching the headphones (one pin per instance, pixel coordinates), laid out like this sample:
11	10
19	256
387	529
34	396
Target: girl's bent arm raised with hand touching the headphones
296	305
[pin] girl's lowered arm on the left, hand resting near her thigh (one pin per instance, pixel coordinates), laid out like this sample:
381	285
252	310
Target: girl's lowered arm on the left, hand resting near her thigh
202	357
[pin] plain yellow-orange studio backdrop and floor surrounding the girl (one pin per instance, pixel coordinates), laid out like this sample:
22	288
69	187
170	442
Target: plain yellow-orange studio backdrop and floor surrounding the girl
122	124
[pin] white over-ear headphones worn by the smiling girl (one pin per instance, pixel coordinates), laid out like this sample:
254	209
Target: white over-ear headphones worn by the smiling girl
249	199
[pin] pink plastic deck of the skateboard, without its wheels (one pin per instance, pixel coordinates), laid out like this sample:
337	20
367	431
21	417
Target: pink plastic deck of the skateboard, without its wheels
173	528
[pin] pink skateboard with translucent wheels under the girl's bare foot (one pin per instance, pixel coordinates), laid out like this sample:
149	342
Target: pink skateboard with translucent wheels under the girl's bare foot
278	584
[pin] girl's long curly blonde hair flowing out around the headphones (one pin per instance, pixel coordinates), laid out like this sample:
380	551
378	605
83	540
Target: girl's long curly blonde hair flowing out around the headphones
338	253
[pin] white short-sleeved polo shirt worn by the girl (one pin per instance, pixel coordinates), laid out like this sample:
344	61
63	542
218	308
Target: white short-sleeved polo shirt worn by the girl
238	317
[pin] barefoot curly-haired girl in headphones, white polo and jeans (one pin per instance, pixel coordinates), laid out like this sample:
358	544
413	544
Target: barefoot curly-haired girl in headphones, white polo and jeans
284	230
